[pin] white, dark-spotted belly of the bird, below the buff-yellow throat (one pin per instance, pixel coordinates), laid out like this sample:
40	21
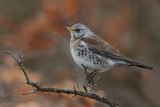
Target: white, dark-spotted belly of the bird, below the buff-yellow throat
91	60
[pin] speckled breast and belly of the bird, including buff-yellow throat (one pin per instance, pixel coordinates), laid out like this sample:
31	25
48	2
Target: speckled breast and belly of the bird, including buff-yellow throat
82	55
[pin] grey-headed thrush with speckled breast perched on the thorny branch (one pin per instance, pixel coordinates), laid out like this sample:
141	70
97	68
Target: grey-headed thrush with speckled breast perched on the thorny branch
93	52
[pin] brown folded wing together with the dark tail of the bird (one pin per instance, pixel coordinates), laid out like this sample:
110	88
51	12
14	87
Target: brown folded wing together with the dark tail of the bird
99	46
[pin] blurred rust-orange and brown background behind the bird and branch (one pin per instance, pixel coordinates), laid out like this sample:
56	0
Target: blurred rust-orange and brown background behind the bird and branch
35	29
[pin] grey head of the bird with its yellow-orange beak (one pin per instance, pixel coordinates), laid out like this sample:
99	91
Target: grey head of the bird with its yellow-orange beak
79	31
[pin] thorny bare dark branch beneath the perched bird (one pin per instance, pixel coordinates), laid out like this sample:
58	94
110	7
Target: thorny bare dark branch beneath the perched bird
39	88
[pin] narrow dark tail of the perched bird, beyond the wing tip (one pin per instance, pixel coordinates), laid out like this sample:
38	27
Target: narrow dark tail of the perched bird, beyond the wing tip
137	64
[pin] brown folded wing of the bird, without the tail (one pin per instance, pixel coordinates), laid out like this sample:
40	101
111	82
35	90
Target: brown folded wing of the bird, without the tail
101	47
